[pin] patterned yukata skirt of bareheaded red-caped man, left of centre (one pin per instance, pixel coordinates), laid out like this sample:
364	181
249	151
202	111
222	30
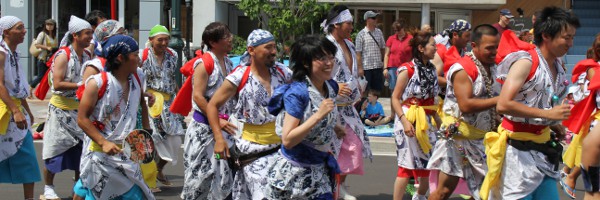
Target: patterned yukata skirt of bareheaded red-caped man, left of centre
205	177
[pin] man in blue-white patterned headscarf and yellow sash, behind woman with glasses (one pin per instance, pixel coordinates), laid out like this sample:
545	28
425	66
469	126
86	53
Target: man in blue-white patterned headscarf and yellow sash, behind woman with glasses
253	83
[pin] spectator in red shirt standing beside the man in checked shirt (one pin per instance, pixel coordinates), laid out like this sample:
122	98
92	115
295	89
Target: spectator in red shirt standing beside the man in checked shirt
397	51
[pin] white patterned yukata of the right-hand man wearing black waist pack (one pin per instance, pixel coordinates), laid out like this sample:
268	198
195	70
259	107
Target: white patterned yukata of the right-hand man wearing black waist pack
523	171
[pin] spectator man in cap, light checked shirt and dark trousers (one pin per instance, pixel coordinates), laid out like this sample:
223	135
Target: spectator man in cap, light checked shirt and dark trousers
369	51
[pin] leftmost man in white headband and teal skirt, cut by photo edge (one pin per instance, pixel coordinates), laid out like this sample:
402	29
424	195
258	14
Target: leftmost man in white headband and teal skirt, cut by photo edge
18	162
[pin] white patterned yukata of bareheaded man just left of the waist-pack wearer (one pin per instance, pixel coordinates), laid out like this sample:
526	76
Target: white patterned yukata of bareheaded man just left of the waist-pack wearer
465	158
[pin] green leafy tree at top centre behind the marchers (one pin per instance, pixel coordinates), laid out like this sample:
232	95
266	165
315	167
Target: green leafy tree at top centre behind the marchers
286	19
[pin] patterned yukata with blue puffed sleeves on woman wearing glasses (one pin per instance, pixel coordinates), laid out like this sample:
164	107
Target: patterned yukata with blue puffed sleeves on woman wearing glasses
288	179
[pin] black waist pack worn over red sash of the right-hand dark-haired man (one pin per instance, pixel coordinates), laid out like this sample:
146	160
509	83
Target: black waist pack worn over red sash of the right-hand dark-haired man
551	149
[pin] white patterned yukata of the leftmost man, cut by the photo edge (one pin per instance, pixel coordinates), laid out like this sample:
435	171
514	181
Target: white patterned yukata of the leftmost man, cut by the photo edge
17	86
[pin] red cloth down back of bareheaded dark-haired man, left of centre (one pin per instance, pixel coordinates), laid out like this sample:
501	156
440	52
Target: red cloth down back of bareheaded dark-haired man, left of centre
182	104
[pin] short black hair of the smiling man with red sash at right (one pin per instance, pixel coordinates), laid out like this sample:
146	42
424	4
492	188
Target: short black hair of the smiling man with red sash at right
552	20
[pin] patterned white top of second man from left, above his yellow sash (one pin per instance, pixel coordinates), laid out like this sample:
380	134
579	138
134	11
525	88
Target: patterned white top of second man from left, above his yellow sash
72	72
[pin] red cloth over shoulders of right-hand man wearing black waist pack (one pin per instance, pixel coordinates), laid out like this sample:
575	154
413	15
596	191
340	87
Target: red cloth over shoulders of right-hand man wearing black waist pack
510	43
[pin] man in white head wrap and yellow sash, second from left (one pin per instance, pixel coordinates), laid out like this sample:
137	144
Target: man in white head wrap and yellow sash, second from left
63	139
